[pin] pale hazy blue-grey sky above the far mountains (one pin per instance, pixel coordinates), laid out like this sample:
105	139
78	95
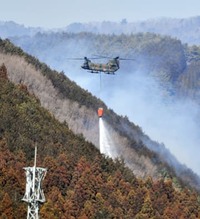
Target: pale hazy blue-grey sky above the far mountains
60	13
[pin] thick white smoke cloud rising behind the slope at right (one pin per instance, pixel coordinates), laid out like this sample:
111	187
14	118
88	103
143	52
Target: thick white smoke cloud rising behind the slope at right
165	119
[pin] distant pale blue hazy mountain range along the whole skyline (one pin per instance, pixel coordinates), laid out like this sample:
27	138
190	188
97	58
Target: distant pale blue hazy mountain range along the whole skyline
185	29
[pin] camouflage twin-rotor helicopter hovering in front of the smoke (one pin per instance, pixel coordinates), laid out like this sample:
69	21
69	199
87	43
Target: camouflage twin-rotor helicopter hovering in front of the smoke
108	68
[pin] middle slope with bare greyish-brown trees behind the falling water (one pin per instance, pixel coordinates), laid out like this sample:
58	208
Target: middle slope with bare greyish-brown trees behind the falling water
77	108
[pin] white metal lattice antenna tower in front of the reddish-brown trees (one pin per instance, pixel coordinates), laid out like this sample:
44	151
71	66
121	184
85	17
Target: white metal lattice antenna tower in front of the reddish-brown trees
34	194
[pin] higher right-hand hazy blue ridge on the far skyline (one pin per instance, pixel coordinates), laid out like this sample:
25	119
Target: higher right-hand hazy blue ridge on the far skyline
187	30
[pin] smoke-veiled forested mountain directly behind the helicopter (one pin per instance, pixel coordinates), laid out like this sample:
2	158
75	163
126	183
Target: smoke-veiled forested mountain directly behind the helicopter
158	90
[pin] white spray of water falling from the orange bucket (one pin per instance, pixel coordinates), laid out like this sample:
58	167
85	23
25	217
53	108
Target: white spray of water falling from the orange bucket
105	141
